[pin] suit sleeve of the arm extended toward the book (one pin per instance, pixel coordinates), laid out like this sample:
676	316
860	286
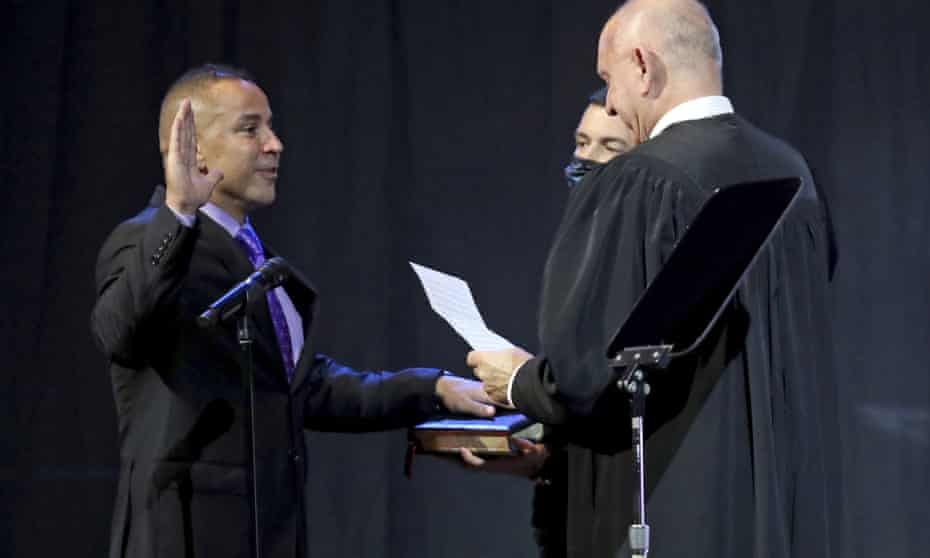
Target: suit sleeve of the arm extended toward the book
347	400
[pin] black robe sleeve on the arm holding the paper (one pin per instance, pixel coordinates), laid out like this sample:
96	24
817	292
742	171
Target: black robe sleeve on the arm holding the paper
621	224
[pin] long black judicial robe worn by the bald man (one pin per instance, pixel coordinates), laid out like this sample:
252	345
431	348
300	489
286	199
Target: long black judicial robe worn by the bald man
739	434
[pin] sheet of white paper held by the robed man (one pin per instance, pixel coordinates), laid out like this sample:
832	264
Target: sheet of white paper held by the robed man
451	298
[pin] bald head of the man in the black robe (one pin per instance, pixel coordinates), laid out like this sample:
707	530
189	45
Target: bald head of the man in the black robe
656	54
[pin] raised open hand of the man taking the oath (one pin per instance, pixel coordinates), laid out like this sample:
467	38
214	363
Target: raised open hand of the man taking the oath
188	187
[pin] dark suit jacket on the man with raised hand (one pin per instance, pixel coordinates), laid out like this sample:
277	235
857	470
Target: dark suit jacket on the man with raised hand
178	391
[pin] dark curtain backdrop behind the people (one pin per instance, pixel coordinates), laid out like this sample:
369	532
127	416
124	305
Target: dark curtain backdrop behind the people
434	132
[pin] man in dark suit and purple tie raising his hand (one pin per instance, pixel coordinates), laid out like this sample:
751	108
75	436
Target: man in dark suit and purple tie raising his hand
178	387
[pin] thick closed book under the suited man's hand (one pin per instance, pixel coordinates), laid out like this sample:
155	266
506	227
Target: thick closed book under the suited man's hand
482	436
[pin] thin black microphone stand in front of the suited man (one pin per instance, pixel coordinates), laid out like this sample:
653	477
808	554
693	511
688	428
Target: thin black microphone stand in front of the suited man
244	334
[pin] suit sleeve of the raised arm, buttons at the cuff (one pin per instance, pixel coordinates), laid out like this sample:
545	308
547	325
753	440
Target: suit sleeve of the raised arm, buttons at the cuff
139	269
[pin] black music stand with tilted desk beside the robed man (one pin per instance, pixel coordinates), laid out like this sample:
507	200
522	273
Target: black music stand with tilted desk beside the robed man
685	299
